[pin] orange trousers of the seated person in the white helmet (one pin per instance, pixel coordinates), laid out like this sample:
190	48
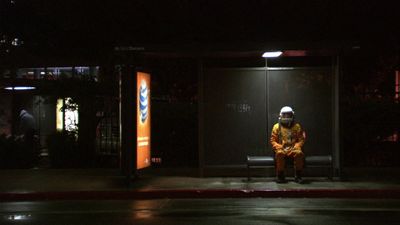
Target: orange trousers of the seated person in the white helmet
298	159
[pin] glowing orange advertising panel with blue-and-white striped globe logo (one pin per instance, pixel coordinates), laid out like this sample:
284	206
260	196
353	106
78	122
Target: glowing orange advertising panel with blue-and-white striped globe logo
143	143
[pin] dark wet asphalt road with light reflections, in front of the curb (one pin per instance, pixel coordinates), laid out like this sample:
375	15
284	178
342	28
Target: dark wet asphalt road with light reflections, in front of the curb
204	211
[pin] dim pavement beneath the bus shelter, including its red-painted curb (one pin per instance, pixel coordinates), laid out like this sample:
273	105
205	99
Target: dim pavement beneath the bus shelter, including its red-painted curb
61	184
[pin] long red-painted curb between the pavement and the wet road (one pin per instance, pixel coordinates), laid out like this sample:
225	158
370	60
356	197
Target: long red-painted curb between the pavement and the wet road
202	194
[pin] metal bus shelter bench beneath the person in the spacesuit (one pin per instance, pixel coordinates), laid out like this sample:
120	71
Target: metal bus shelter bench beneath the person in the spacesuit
310	161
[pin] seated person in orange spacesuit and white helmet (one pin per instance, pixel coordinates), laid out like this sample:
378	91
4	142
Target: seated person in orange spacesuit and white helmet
287	140
